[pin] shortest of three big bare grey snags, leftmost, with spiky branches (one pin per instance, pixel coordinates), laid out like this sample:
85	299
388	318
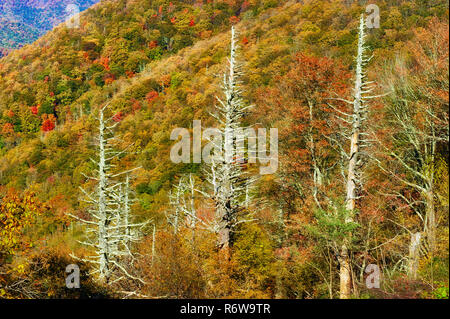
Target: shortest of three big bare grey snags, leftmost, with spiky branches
109	230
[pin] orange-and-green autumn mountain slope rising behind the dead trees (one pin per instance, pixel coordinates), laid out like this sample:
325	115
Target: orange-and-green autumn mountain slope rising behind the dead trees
69	74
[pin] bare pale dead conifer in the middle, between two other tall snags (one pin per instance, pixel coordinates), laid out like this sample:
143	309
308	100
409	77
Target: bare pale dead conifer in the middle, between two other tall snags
227	177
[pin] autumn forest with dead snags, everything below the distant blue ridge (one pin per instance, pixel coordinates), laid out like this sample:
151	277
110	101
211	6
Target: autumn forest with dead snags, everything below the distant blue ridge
87	116
